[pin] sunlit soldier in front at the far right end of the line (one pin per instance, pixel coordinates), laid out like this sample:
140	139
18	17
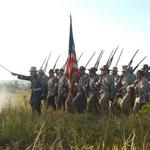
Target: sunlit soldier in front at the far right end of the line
141	91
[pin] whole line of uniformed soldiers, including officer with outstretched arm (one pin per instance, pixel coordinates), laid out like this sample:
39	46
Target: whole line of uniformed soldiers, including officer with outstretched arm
93	92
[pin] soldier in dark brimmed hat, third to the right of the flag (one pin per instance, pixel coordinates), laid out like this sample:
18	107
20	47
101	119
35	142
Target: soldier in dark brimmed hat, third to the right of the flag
107	91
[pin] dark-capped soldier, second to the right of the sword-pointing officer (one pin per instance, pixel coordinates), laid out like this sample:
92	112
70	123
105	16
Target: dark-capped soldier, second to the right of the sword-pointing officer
51	87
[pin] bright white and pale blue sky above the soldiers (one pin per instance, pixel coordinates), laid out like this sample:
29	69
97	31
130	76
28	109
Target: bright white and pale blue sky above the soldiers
31	29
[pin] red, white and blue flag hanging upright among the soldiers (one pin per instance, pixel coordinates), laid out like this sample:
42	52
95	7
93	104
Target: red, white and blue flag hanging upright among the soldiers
71	63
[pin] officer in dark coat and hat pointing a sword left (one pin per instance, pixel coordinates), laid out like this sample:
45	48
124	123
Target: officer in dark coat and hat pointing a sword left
36	85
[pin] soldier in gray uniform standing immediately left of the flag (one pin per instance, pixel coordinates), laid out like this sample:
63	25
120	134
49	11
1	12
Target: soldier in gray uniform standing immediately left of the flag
62	90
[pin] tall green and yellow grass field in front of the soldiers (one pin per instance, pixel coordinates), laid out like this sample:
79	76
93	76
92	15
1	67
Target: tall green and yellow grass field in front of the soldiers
60	130
